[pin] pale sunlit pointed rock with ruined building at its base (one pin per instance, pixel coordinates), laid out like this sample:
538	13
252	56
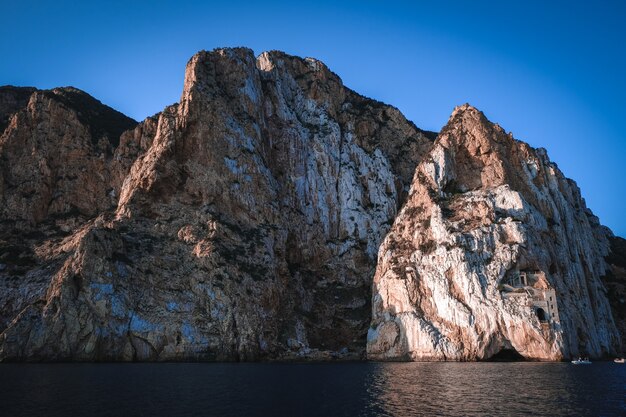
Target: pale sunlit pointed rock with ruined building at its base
493	251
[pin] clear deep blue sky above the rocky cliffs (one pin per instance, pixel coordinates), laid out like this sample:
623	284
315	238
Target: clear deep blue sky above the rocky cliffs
552	72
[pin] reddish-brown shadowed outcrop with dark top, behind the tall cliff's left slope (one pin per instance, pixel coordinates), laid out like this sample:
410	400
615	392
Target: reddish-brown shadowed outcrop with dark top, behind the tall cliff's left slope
55	154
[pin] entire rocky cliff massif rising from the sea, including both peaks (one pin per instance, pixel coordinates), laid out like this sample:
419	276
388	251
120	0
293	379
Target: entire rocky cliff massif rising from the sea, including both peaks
245	222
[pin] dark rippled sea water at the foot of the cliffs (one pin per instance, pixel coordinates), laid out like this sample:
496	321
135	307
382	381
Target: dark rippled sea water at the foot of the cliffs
323	389
